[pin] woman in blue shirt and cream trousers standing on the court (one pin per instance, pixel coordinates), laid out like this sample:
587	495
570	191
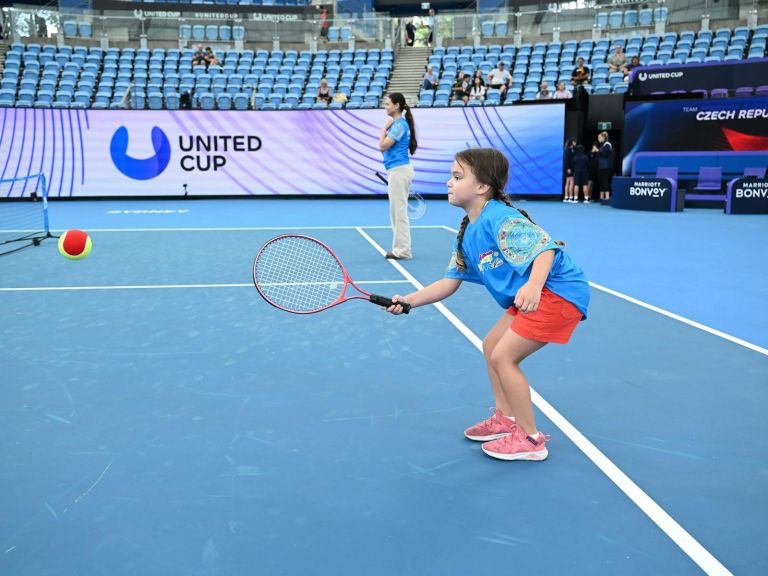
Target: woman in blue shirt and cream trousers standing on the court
397	139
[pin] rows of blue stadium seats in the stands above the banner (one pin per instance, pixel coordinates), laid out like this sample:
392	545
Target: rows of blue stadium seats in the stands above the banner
82	76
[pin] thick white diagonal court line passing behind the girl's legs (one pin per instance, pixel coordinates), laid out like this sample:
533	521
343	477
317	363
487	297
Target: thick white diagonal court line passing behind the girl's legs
687	543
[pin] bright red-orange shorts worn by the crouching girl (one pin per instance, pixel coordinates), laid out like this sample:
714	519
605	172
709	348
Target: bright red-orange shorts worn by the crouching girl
553	321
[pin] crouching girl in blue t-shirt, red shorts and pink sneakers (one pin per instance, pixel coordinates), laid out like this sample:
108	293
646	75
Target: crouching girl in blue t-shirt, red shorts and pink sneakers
544	294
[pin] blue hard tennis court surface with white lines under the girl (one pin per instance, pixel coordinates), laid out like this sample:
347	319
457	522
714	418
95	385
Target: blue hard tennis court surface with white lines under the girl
160	418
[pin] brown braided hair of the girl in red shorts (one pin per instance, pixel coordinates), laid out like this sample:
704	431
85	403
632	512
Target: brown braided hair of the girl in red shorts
490	167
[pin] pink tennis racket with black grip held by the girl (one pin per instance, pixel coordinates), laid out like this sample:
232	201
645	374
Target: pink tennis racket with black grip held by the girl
300	274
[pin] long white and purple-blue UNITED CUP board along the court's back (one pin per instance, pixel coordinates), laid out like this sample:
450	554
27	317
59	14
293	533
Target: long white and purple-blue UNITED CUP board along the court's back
308	152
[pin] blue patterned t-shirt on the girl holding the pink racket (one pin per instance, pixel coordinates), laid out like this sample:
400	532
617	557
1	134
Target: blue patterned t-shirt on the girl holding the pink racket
499	248
